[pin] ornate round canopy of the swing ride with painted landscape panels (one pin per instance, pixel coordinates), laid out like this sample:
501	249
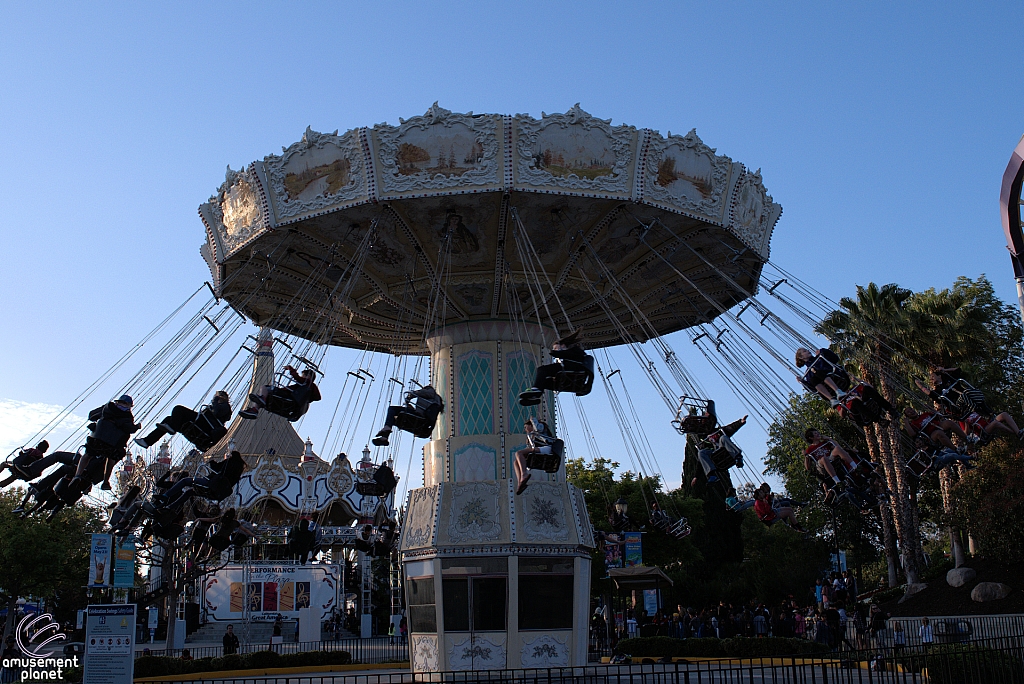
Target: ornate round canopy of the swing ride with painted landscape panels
284	235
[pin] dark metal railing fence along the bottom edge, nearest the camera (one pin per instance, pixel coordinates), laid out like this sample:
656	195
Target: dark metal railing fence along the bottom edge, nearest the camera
992	662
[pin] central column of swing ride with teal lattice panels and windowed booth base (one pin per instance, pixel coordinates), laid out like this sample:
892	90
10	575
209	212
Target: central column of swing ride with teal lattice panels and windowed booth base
494	580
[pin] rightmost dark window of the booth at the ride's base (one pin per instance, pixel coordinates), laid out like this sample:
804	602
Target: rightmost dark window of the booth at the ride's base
546	591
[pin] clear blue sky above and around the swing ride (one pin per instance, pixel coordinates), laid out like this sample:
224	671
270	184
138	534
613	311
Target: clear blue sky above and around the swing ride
882	129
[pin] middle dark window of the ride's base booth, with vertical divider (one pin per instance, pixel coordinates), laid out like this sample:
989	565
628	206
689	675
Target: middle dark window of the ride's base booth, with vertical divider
476	594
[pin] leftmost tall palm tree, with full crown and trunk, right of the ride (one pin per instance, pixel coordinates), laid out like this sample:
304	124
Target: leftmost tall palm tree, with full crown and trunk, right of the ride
871	331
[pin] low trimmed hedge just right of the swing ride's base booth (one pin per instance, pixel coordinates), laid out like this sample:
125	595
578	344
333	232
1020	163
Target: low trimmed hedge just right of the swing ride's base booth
733	648
